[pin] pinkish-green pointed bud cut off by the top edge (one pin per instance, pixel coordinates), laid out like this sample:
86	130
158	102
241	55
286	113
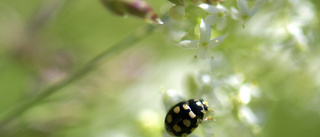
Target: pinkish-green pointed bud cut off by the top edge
138	8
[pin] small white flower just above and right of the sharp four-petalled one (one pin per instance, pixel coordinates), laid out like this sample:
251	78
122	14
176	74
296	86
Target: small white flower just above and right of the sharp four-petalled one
217	15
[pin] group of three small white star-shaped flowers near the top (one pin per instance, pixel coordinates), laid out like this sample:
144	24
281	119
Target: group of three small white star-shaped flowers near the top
217	16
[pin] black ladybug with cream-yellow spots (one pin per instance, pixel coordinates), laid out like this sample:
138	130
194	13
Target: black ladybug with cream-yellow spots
184	117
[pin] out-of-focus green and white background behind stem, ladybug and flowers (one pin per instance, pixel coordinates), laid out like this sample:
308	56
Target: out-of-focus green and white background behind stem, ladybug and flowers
264	80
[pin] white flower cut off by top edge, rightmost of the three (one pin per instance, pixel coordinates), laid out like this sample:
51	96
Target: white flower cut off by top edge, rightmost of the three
244	12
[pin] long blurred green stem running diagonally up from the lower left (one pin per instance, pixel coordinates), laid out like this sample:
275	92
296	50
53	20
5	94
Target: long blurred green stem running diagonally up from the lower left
92	64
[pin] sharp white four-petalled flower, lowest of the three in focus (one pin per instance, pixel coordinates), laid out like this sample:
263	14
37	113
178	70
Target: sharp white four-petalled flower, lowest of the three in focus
204	44
